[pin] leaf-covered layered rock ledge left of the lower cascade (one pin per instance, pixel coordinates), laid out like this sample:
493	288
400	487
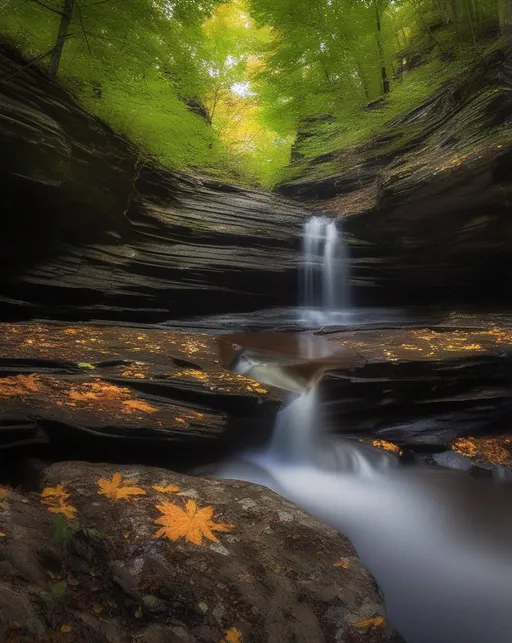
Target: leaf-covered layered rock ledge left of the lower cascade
122	394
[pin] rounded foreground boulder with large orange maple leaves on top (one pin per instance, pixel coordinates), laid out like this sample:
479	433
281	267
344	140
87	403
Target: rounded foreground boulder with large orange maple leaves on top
142	554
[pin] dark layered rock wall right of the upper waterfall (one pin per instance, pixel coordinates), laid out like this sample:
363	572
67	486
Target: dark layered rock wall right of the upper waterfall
426	206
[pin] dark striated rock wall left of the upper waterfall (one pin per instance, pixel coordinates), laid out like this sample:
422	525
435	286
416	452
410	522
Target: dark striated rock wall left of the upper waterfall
90	230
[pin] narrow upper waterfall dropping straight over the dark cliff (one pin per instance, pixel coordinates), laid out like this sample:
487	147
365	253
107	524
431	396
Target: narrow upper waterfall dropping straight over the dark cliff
325	273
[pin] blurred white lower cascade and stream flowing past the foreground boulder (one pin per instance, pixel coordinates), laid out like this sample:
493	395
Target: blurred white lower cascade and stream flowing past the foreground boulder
438	542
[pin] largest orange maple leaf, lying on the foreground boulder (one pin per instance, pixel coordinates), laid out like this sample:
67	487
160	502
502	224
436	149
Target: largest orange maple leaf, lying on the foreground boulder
192	523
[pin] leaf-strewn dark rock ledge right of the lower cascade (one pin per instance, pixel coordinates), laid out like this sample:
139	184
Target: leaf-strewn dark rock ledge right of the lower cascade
423	387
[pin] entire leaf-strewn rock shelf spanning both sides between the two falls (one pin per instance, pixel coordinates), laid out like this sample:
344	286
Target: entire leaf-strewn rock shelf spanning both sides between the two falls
166	396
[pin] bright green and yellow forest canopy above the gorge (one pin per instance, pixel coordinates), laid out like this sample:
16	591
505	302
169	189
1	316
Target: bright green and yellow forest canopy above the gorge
227	87
